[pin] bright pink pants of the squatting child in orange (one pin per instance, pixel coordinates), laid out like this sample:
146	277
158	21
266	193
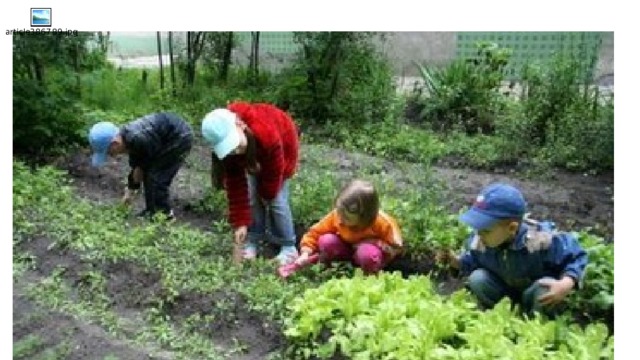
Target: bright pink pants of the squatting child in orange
367	256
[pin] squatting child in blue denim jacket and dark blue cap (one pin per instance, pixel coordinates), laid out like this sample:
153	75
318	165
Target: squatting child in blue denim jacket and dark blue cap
506	256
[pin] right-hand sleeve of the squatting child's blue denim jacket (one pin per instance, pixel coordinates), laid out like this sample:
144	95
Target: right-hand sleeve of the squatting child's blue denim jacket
568	257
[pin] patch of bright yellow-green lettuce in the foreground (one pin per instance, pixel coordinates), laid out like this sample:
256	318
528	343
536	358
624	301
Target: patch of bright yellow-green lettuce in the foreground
390	317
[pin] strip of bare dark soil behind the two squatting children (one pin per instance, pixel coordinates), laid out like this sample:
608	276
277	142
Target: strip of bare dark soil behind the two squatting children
573	201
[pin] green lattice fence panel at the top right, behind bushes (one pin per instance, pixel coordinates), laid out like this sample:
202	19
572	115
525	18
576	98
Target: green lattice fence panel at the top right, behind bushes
532	47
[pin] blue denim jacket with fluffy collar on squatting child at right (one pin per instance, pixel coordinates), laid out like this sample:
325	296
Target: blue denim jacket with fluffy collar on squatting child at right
534	253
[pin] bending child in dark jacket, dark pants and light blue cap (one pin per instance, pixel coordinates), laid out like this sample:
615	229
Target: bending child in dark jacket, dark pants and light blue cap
157	145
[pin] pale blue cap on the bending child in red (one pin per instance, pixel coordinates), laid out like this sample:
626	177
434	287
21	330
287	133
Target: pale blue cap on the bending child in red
219	129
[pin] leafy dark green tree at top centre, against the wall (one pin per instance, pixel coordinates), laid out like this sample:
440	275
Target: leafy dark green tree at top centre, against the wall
337	76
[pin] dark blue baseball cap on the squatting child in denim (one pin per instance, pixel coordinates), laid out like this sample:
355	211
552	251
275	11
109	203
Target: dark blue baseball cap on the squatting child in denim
495	202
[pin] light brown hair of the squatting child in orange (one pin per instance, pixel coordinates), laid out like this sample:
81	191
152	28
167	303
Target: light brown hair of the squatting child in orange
359	198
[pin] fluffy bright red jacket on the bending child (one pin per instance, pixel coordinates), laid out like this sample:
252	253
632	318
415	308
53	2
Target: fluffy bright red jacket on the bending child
277	153
